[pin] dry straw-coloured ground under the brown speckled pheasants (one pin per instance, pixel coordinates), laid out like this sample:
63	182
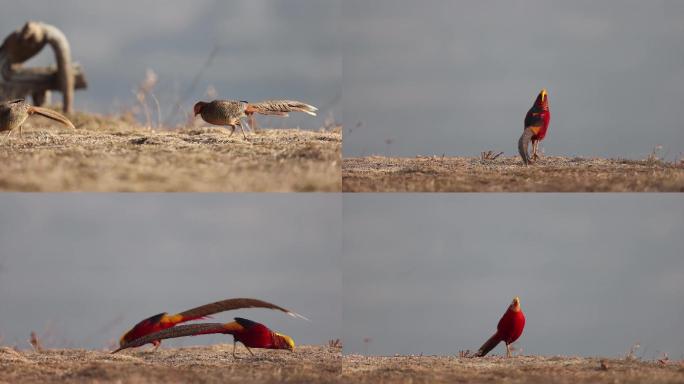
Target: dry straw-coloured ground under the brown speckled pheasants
116	154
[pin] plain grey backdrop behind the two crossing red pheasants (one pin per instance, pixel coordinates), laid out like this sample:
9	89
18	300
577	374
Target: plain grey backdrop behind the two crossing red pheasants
80	270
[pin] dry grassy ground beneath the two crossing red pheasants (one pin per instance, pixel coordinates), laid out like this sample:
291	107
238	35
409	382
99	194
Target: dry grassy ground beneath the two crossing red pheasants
212	364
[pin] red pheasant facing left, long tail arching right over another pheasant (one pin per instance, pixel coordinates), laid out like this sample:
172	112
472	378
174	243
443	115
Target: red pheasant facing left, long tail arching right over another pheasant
164	320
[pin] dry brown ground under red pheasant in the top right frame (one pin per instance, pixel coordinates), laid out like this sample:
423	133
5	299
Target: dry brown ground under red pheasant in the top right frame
550	174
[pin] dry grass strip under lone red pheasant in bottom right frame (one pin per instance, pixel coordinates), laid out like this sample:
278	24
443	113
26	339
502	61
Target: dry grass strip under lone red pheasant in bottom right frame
522	369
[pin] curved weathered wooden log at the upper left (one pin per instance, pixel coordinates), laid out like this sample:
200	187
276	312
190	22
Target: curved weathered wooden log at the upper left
25	43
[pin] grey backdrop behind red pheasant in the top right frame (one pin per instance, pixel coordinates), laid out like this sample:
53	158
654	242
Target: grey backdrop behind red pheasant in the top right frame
457	77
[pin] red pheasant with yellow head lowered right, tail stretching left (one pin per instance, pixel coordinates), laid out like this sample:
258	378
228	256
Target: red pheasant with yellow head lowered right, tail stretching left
250	333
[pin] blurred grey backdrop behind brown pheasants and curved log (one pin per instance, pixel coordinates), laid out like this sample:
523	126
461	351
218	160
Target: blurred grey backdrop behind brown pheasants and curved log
238	49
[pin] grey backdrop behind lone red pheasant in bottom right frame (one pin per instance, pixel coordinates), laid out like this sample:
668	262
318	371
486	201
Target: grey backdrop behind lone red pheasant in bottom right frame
432	274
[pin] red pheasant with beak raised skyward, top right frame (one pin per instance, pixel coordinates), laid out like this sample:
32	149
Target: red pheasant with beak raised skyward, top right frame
536	124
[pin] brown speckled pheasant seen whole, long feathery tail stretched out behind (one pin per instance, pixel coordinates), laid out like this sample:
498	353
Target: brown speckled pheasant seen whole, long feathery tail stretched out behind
231	112
